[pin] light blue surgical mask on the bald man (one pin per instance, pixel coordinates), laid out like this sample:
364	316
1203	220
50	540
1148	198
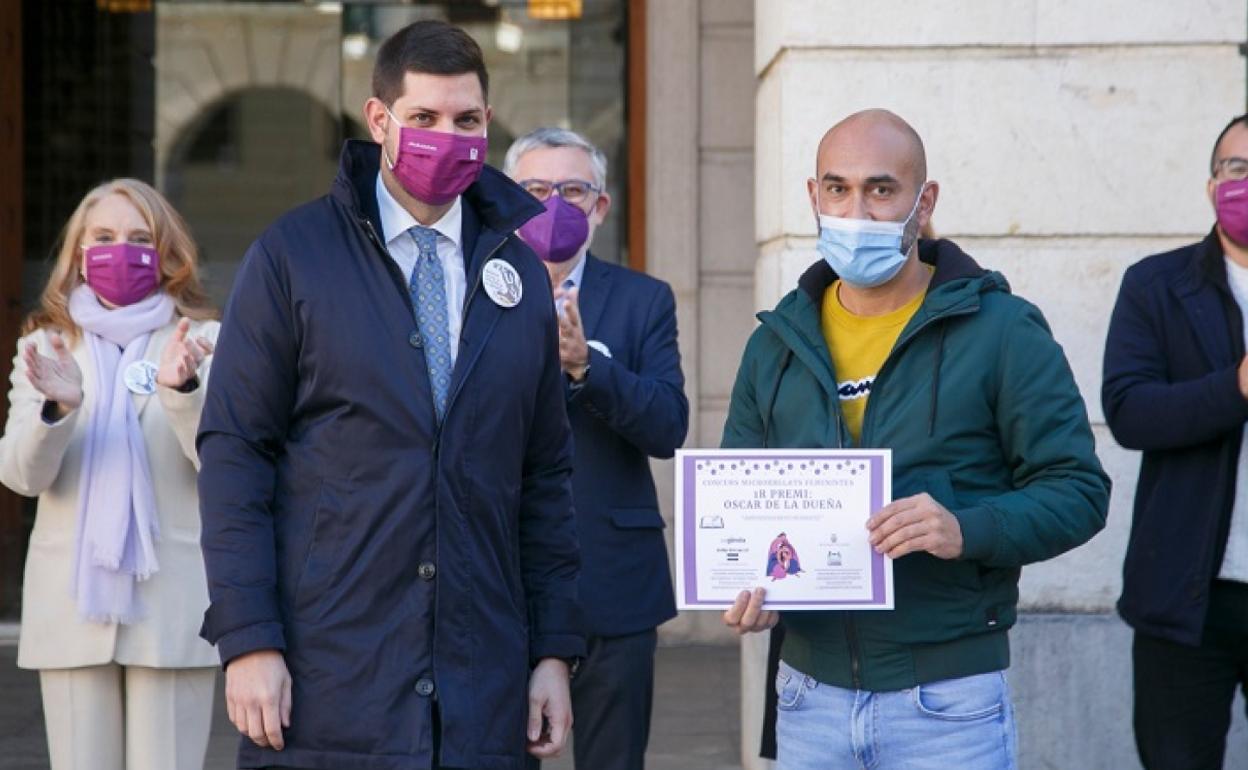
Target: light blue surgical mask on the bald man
865	253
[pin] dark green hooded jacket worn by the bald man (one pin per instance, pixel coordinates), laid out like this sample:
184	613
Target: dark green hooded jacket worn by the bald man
982	412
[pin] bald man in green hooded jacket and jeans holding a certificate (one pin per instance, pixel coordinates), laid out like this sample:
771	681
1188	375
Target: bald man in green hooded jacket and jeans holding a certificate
894	344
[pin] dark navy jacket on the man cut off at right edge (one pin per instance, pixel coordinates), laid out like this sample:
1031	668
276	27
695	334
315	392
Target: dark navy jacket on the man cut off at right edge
1172	390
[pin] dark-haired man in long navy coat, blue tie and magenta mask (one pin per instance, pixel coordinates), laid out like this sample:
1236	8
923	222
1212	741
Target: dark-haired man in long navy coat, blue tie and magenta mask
388	514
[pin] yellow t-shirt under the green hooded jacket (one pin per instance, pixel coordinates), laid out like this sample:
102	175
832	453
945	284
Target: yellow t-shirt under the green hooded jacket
859	346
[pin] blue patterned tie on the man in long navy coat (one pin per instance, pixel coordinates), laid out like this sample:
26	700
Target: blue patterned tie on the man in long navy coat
430	300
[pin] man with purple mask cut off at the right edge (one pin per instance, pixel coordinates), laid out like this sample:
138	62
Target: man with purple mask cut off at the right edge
1176	386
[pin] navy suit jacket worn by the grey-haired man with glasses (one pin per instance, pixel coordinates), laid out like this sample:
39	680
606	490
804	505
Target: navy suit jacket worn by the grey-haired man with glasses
631	409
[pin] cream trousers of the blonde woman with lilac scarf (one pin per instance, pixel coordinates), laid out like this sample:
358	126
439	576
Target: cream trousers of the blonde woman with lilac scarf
128	718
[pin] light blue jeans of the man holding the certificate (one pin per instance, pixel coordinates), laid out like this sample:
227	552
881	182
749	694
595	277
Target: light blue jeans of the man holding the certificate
955	724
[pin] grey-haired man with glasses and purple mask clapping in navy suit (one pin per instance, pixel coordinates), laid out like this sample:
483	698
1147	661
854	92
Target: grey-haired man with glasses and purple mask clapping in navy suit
626	404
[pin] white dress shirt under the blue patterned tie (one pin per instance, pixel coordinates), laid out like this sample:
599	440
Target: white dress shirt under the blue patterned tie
396	223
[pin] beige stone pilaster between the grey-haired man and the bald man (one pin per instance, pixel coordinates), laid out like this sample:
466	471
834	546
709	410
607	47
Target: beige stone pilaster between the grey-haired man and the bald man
700	204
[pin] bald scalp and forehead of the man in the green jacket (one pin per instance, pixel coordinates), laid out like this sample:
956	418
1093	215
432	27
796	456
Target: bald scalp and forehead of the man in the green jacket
879	138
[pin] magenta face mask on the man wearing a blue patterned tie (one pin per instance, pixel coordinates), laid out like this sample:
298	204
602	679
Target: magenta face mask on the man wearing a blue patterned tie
435	167
